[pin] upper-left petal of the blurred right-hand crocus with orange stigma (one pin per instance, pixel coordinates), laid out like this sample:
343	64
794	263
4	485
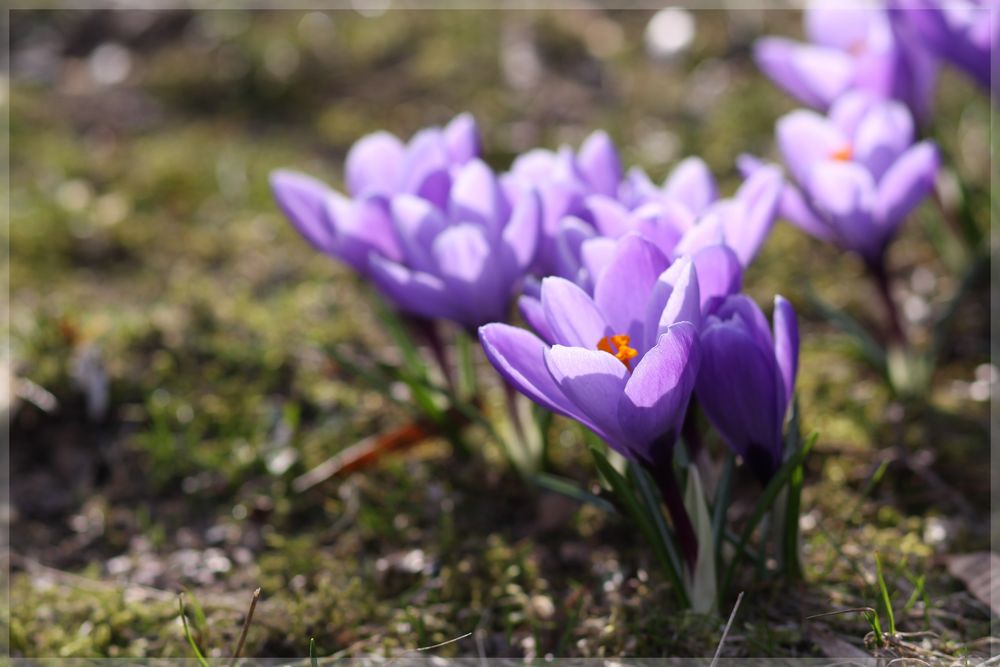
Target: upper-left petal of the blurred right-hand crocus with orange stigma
806	138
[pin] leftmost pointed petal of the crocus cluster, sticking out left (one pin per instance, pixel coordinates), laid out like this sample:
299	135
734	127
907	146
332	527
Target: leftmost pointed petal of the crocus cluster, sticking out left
302	200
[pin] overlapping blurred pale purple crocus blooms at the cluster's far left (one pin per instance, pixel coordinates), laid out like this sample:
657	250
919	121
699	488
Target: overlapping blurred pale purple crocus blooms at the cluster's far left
429	223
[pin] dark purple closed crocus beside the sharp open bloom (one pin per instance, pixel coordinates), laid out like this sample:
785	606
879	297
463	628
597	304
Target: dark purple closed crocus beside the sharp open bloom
747	378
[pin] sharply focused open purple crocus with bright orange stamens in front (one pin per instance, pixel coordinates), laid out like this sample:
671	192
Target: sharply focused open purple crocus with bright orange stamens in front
622	362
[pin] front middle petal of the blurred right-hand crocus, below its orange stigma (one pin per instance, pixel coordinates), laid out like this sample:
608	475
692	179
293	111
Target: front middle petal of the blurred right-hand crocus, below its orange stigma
843	193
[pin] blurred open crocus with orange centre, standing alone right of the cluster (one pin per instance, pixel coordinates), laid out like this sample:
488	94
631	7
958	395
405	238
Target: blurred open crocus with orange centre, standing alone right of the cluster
857	172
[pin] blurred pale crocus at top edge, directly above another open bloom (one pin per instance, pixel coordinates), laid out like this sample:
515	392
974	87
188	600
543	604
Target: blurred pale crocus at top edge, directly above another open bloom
852	47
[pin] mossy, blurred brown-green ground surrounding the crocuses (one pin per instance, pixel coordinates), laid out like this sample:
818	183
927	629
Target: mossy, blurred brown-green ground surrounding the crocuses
167	325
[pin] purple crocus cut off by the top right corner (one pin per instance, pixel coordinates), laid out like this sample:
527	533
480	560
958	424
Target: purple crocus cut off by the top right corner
963	32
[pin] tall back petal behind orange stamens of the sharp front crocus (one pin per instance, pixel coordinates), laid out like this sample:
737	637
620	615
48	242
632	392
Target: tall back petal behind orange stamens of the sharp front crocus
623	290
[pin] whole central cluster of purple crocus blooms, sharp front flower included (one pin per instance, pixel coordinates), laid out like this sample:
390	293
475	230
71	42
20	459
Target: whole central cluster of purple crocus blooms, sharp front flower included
632	289
